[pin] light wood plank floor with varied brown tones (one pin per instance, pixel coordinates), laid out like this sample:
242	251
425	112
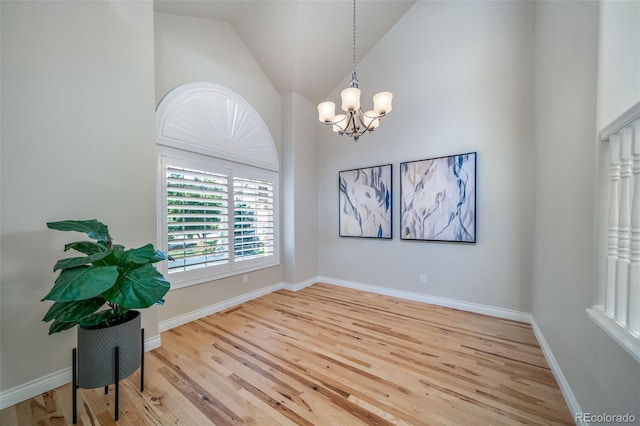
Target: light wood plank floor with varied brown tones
327	355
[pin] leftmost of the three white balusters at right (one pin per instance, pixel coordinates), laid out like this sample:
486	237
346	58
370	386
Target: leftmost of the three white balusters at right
612	239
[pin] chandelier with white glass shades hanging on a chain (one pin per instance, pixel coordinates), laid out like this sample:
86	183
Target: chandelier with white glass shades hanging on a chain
355	122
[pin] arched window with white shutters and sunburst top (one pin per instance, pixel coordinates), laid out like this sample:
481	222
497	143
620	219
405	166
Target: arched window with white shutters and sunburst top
217	185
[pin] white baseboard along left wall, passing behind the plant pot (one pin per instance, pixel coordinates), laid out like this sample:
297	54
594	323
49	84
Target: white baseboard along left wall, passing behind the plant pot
51	381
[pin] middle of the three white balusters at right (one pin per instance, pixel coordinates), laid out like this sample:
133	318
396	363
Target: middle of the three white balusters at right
624	227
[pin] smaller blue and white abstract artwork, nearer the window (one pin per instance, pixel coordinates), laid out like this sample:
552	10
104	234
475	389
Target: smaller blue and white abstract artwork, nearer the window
365	202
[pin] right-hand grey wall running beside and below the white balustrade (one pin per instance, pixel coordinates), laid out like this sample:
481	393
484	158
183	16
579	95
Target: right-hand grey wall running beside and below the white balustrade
603	378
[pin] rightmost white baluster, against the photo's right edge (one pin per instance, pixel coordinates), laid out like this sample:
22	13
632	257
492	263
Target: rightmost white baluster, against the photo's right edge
633	309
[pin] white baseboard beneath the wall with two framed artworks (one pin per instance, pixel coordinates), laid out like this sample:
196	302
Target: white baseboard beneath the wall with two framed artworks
434	300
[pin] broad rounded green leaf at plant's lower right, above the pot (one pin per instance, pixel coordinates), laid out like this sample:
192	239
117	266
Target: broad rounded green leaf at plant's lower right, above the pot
138	288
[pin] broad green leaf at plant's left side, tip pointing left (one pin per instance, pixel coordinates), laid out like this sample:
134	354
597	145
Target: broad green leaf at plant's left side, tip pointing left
83	282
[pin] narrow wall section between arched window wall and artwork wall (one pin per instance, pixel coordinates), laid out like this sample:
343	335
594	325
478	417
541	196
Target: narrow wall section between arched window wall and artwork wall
299	182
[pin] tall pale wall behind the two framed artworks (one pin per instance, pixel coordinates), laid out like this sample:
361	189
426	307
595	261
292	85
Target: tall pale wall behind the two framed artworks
461	77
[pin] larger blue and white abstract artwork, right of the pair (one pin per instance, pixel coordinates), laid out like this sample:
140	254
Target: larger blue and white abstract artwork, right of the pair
438	199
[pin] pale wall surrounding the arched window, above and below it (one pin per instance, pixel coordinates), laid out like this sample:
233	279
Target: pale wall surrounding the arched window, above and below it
190	50
